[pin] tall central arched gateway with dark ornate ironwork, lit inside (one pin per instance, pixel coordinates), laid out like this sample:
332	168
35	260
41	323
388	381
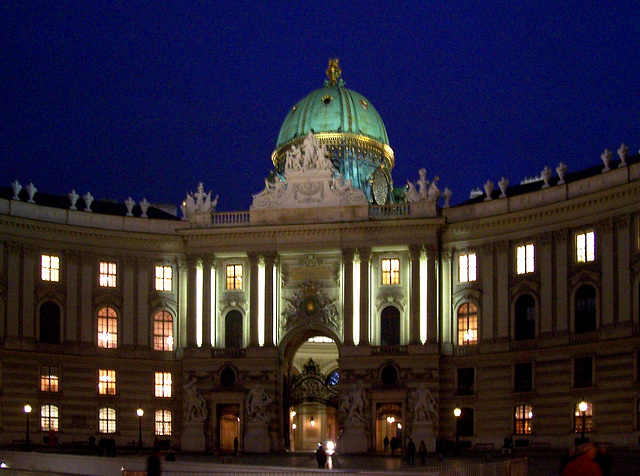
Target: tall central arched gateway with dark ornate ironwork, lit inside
312	391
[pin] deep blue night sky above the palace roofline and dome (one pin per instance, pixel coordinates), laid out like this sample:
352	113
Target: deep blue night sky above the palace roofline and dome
146	99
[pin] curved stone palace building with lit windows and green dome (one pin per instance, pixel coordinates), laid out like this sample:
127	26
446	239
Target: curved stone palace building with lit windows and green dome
338	307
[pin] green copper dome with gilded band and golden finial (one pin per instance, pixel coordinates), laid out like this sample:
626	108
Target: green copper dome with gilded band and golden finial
350	128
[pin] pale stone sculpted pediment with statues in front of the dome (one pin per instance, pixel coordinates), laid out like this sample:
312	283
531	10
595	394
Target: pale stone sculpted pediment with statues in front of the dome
309	180
